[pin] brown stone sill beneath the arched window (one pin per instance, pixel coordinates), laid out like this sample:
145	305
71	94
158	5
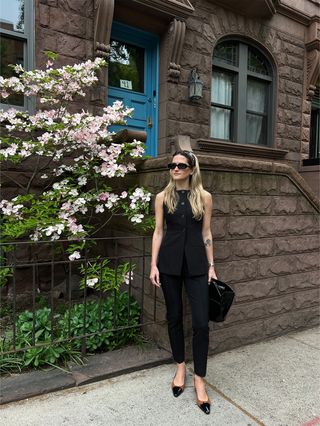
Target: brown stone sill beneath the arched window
243	150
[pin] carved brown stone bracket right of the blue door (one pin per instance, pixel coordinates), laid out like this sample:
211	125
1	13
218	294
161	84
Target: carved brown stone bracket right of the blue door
178	30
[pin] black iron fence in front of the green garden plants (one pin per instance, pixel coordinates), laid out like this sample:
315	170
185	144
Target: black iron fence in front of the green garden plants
41	279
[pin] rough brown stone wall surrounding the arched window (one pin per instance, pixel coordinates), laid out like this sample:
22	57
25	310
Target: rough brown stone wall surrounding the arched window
205	28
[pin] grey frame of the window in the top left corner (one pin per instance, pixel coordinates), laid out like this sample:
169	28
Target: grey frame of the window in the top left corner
27	37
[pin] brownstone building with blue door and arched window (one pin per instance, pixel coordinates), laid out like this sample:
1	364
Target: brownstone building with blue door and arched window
238	83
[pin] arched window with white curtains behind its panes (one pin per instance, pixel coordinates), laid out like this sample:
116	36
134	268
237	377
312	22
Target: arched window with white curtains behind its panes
241	94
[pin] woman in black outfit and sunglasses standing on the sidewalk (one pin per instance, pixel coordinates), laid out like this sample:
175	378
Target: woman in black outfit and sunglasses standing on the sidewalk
185	255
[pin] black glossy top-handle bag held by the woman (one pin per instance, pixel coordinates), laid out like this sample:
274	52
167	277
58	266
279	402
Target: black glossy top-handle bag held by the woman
221	297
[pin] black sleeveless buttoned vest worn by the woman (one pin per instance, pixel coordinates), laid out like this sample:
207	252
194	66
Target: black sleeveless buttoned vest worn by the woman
183	241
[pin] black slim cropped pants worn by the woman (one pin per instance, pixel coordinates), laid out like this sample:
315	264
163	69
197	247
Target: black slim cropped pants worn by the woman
198	295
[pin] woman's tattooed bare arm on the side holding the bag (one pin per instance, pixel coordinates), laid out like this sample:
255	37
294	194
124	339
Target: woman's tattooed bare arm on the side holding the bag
207	235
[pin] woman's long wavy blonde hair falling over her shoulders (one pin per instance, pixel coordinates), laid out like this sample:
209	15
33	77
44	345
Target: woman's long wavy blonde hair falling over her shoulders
196	189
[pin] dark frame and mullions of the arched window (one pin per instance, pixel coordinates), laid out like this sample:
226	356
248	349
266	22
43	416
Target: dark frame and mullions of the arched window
241	72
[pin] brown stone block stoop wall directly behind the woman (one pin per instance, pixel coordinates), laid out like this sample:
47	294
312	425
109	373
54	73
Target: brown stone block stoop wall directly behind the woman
266	240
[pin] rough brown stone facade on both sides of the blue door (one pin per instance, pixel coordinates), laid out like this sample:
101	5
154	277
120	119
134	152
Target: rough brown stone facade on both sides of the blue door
66	27
